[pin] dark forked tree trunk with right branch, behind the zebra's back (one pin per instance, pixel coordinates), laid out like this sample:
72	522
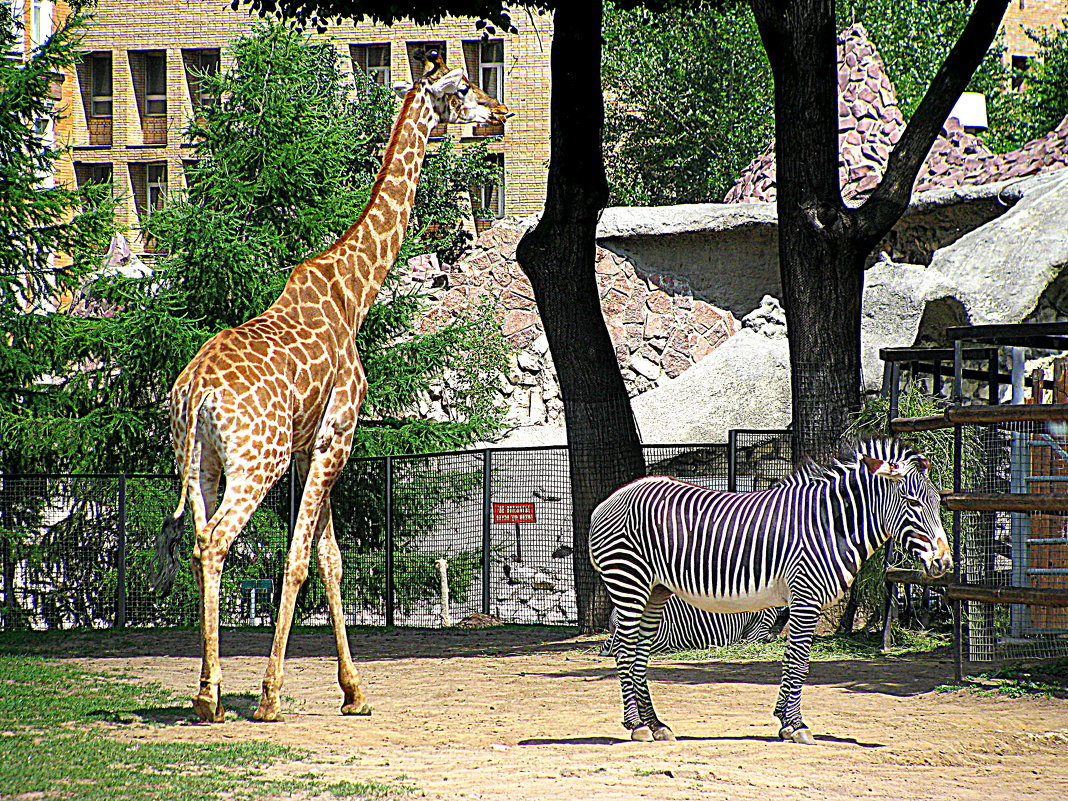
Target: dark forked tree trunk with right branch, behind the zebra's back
823	245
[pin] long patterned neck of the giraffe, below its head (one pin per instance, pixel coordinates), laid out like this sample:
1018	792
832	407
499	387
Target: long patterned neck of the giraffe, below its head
355	266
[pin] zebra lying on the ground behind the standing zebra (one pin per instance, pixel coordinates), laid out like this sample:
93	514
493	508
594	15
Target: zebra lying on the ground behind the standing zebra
684	626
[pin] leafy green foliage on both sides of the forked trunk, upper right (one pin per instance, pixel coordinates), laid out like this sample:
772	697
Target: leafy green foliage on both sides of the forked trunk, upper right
689	93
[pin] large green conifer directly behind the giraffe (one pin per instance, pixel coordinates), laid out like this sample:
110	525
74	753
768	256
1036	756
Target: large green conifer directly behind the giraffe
284	167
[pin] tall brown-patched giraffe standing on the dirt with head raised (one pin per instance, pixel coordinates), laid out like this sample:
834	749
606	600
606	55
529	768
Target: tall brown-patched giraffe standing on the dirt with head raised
288	385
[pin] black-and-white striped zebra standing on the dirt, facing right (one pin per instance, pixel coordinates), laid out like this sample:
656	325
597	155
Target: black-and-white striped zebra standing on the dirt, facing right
800	543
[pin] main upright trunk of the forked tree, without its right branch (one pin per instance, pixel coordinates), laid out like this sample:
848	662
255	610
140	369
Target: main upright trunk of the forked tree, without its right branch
822	270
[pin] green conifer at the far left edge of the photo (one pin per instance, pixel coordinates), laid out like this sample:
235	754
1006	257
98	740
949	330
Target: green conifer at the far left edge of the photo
52	238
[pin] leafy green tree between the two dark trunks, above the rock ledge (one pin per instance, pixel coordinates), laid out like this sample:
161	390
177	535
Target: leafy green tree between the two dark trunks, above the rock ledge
689	103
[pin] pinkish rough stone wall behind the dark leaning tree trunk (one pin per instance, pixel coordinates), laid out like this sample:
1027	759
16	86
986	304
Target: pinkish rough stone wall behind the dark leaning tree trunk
658	327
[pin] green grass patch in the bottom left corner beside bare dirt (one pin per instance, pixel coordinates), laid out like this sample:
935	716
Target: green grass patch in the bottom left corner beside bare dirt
55	742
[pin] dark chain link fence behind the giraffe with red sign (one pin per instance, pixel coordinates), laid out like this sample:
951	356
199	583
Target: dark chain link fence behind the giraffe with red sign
489	530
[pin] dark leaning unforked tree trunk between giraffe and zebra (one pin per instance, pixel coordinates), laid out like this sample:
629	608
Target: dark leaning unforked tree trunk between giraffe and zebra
559	257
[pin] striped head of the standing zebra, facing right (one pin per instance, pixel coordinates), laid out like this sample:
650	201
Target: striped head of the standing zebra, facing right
913	512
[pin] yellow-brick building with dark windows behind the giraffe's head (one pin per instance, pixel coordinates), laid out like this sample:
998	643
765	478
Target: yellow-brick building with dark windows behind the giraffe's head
135	90
